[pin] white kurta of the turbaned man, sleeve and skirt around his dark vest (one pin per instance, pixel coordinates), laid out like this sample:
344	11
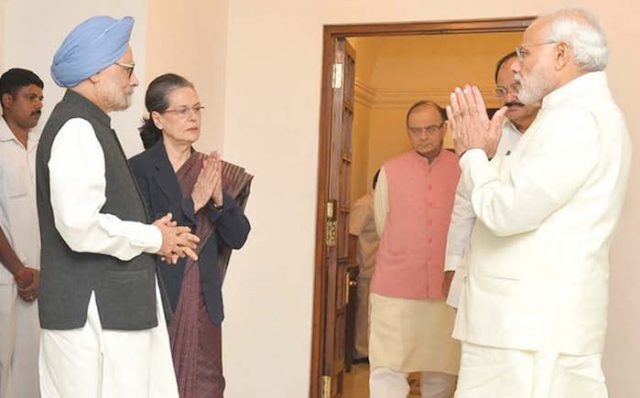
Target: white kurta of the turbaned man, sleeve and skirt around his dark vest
90	361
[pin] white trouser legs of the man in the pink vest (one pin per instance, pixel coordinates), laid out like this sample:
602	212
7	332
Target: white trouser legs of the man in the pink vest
388	383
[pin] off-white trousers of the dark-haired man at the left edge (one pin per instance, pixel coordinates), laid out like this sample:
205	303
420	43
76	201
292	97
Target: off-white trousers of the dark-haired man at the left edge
19	340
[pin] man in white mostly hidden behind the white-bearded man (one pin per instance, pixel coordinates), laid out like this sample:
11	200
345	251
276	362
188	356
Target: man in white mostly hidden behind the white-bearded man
518	119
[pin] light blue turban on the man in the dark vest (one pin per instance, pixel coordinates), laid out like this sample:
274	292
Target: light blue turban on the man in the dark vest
91	47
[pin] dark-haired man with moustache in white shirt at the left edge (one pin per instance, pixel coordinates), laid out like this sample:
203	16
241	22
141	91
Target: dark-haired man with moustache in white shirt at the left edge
21	92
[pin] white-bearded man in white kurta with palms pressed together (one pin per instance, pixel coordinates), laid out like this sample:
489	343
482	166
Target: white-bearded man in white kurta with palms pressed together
533	310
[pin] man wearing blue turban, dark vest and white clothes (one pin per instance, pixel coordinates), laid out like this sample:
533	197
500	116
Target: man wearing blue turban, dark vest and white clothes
103	328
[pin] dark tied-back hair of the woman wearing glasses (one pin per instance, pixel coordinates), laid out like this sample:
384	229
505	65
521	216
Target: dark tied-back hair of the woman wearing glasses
156	99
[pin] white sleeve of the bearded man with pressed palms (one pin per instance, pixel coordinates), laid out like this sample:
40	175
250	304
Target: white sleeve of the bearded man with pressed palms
558	160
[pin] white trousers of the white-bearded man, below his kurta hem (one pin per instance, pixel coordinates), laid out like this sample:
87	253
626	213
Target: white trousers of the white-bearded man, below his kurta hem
488	372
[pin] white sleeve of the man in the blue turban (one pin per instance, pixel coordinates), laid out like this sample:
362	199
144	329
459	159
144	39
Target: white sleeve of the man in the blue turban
77	184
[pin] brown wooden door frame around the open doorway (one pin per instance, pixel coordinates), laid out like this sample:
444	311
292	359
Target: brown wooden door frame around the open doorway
331	34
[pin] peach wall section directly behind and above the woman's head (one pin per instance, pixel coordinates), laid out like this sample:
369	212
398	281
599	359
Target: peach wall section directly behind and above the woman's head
189	38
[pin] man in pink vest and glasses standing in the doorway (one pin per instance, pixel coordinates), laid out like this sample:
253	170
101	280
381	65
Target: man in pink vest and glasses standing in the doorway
410	323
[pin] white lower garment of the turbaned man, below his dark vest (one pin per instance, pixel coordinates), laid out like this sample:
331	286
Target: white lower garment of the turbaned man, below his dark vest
94	363
